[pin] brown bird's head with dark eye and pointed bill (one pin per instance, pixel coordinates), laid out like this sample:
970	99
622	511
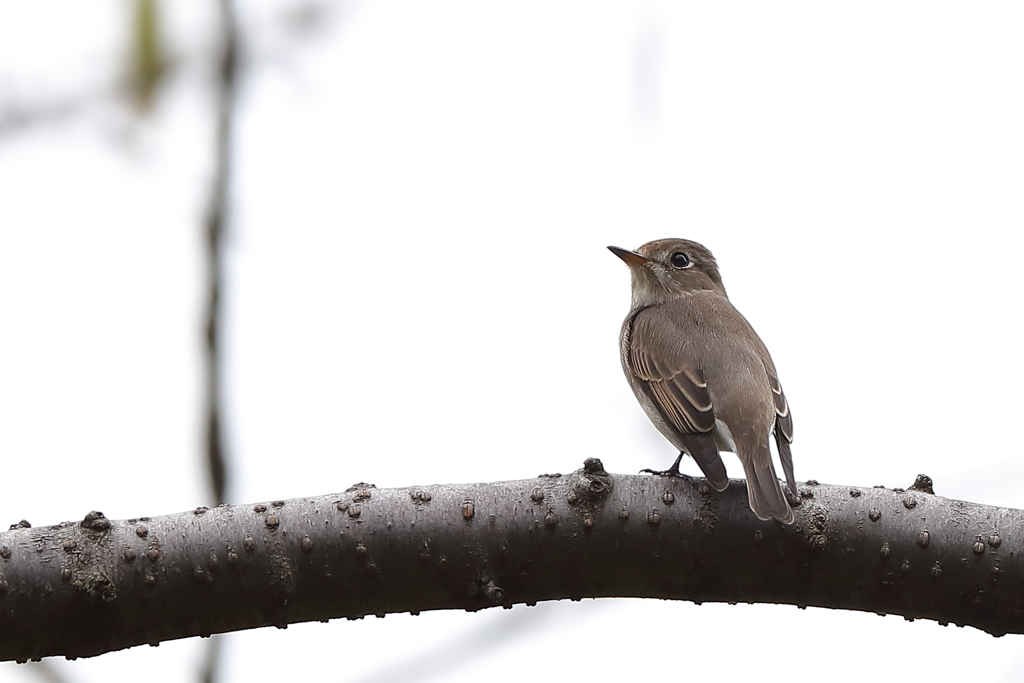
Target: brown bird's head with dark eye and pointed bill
667	270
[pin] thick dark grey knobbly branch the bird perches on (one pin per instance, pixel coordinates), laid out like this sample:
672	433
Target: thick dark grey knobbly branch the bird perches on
92	587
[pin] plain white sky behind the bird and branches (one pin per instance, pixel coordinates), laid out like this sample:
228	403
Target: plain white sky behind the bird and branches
419	289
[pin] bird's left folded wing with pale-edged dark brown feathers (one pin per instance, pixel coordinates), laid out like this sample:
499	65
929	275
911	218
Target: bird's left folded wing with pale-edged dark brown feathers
679	390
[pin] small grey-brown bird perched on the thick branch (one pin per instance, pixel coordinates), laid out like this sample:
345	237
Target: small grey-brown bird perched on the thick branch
702	374
